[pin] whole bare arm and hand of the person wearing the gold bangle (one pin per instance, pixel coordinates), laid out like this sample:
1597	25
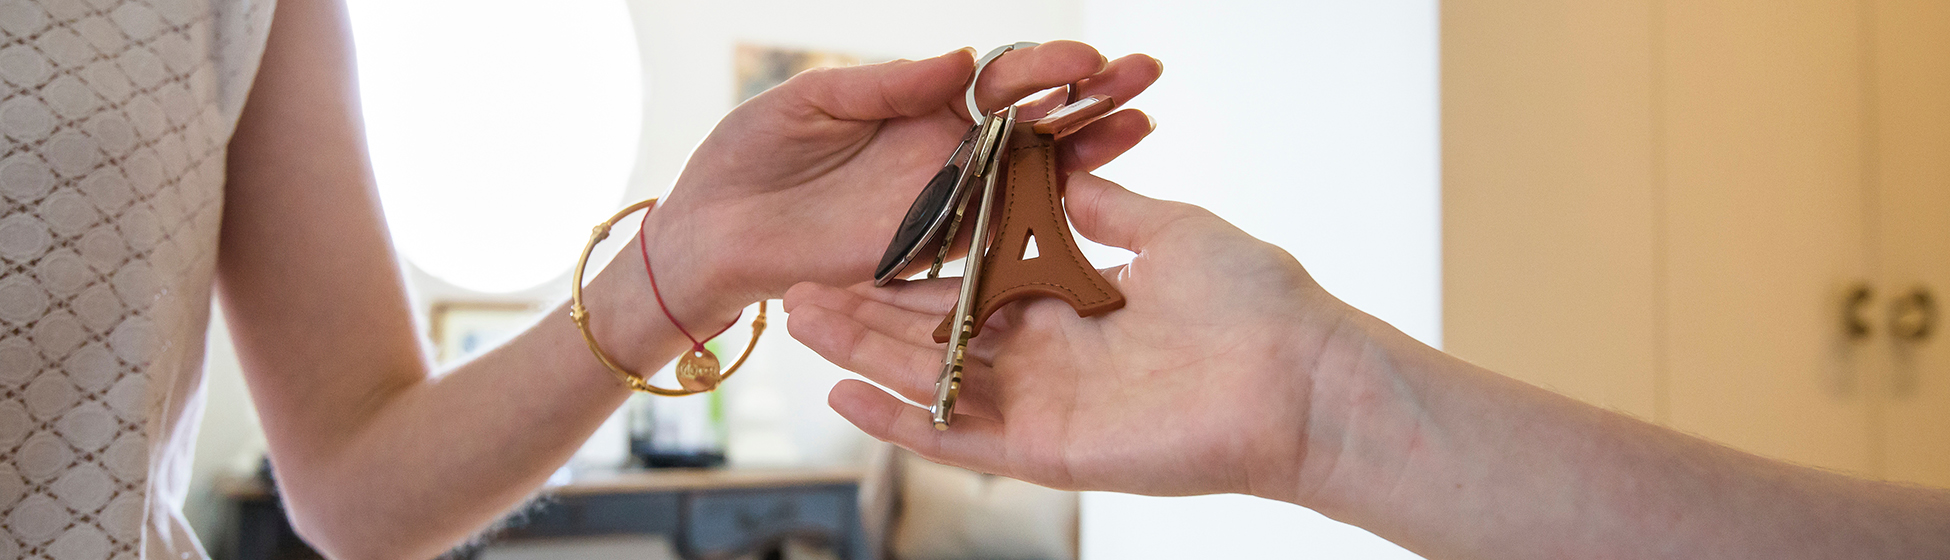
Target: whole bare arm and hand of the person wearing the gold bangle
377	456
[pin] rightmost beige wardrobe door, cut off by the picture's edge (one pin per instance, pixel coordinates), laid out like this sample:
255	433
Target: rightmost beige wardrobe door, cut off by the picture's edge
1912	175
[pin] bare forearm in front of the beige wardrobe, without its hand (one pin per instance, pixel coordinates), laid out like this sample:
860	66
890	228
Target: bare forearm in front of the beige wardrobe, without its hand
1456	461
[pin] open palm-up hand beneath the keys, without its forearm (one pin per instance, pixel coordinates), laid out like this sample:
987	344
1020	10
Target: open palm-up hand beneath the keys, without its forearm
1200	385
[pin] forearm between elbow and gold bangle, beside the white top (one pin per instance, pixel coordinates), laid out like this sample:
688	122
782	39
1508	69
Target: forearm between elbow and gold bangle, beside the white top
442	460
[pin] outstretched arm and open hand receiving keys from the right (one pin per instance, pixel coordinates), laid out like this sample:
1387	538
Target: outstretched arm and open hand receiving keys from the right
1233	372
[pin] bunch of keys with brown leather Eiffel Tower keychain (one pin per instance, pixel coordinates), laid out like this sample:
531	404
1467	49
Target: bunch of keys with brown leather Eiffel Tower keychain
1021	243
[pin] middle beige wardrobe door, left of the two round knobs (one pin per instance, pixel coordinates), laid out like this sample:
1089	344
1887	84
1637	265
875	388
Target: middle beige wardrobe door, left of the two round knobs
1764	184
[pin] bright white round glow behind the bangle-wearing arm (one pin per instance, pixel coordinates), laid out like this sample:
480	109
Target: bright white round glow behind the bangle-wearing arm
500	130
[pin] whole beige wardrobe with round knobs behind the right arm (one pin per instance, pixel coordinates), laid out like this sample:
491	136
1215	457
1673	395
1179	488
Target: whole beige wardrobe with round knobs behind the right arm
1727	218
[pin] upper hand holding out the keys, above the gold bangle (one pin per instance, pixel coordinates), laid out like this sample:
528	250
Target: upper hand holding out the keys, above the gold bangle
808	180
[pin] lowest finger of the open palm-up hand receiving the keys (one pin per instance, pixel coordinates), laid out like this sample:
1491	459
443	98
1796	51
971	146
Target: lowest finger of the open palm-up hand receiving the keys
976	444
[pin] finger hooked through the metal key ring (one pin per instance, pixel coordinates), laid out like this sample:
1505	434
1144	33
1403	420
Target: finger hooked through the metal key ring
1027	71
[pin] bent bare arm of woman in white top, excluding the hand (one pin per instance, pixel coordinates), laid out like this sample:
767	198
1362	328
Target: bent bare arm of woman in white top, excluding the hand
375	456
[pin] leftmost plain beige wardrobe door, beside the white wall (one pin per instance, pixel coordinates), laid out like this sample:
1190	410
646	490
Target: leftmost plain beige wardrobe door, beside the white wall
1547	196
